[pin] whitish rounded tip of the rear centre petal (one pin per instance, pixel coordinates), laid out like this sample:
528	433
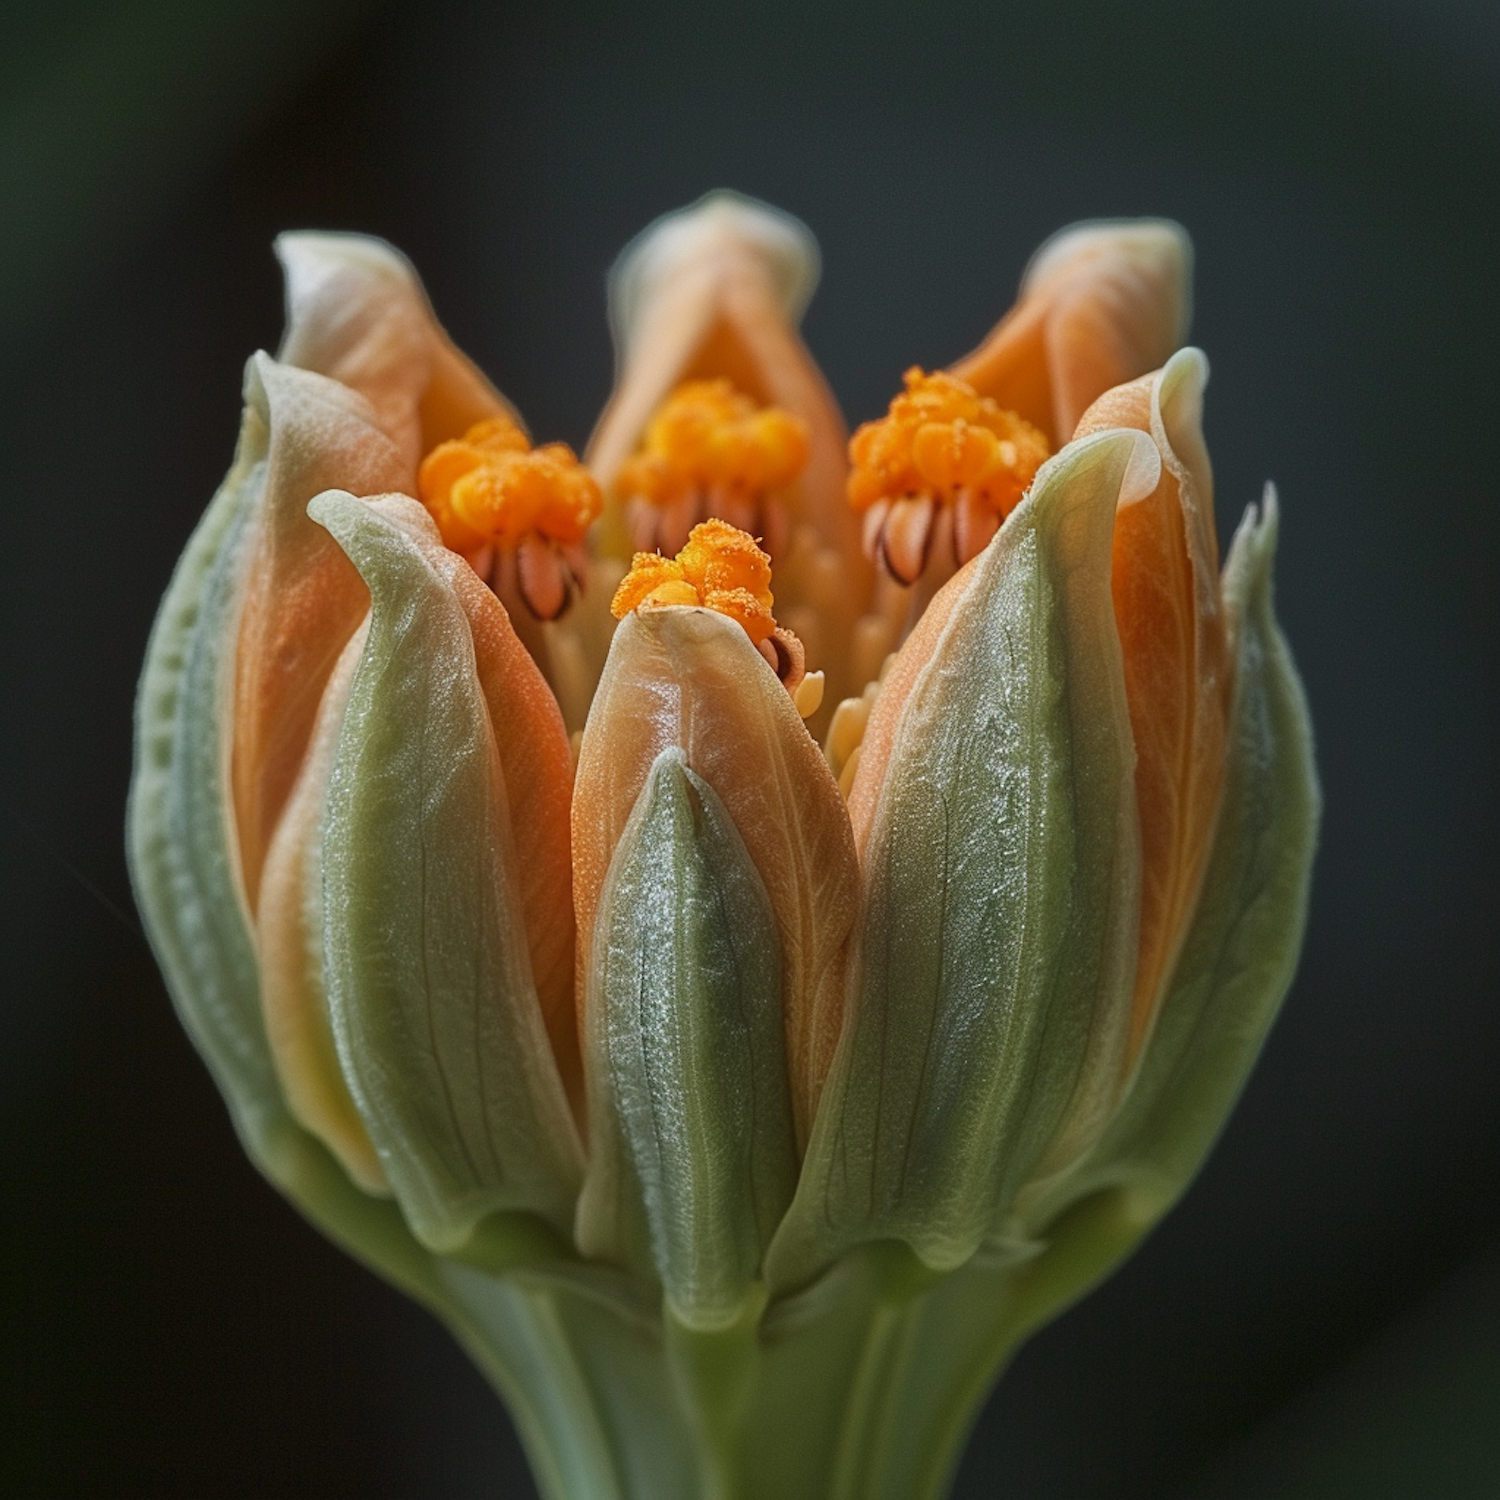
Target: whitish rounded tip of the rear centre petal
721	224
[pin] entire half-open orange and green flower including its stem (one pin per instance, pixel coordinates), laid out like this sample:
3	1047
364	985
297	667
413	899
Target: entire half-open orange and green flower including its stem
749	923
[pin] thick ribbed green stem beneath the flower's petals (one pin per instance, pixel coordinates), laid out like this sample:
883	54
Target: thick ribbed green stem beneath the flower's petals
860	1388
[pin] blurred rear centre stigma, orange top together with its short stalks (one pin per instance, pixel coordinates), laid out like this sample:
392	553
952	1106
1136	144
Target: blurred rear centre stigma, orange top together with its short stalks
712	451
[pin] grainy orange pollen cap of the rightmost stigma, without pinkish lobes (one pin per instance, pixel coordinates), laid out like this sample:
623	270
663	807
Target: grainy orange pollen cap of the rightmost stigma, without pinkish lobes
944	442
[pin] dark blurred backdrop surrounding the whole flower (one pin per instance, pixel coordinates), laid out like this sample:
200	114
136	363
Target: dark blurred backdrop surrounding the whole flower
1322	1315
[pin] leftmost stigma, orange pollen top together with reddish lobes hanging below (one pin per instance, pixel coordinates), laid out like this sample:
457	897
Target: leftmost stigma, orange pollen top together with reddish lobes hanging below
514	508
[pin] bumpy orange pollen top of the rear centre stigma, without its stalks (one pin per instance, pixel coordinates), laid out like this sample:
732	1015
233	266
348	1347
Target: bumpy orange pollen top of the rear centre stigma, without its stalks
710	437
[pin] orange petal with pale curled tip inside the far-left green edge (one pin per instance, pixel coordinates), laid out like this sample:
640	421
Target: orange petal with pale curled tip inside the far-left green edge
302	599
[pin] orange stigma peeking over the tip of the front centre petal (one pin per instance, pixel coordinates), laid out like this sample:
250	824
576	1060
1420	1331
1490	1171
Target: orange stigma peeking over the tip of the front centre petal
721	568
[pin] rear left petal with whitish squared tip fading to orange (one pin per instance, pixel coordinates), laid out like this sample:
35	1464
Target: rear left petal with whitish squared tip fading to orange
358	314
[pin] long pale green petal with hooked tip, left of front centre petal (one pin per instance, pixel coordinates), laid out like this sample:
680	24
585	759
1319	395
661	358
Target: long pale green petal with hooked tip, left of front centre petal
430	970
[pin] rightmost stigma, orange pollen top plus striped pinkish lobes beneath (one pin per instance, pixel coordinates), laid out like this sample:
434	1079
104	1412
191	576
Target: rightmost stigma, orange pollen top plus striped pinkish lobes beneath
943	460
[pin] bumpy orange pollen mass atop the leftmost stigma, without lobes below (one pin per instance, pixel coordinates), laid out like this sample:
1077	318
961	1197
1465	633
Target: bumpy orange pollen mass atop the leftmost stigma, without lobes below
493	488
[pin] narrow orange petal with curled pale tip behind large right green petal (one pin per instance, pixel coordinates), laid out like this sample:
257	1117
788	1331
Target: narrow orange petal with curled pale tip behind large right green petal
1177	670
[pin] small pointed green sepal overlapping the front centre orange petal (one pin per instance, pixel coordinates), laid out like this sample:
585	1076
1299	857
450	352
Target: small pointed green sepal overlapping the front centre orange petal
688	1039
